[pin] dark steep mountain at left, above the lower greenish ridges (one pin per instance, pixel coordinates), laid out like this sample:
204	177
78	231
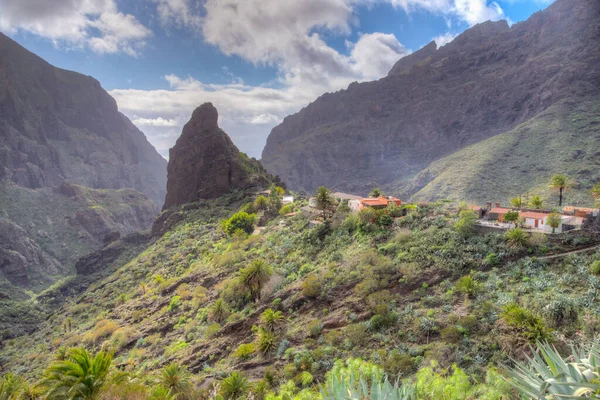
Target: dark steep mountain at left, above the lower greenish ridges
58	125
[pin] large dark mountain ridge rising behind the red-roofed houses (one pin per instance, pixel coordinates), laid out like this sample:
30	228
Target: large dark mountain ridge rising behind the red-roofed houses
491	79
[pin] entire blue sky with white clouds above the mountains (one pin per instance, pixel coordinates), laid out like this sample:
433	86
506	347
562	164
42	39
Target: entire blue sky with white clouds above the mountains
257	61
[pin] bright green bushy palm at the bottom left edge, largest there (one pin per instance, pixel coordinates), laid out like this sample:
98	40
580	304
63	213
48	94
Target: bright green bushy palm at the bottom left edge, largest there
78	377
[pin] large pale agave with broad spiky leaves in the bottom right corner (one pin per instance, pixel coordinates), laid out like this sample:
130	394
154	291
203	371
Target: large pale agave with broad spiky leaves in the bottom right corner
546	375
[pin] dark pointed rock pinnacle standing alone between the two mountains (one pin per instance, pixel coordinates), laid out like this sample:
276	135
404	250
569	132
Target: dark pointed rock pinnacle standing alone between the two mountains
205	164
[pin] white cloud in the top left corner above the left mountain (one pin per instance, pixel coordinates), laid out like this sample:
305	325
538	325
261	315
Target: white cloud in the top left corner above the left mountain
97	23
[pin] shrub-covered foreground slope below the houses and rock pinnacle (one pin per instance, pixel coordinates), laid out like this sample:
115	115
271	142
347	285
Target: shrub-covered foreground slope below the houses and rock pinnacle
412	296
